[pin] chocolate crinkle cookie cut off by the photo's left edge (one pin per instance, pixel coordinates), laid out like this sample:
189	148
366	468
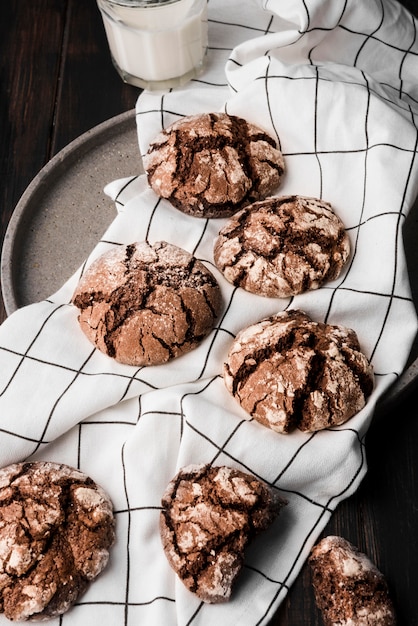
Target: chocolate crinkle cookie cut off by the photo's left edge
56	529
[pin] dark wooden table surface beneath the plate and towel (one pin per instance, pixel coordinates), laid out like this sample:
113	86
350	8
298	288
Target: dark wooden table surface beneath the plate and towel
57	81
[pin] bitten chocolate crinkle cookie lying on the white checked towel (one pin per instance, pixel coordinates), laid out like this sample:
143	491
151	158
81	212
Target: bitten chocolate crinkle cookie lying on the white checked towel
209	516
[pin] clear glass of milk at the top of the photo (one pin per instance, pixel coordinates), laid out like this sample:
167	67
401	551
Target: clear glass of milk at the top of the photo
156	44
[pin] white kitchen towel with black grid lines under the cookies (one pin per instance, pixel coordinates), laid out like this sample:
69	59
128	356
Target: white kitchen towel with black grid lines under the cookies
334	81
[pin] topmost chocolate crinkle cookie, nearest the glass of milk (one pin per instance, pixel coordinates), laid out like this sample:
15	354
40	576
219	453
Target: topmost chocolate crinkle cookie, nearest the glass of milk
213	164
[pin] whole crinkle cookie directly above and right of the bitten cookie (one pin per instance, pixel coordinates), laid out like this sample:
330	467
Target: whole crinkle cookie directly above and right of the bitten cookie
288	372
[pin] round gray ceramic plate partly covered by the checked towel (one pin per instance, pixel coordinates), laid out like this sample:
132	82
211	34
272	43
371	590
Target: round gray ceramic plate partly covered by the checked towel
64	212
